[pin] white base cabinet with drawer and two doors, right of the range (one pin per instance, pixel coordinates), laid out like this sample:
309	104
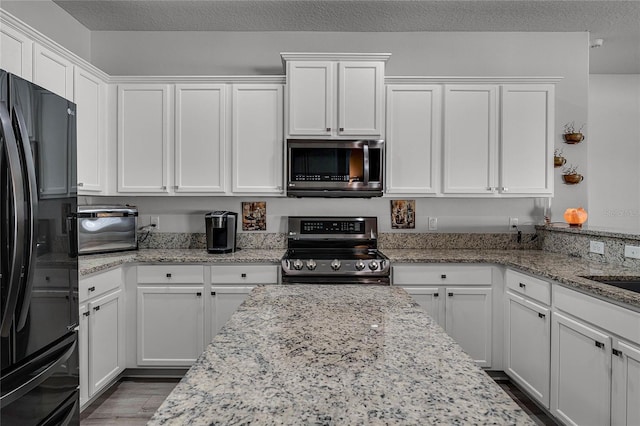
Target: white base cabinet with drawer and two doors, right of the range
463	307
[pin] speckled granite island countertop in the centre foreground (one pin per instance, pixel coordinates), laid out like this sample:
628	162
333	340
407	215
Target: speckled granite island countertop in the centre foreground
300	354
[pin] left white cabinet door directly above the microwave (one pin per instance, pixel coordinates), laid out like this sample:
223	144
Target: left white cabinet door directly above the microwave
311	97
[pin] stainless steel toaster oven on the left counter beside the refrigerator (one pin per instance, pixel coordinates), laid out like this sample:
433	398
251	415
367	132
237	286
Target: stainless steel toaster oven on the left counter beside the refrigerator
103	229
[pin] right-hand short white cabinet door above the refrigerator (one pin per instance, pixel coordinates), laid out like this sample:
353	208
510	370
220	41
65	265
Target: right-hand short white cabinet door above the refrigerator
53	72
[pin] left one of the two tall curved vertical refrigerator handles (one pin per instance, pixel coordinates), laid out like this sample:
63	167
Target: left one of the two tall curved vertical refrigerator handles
16	264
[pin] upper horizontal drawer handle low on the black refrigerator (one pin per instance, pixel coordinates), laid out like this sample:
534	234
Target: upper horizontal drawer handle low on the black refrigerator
61	353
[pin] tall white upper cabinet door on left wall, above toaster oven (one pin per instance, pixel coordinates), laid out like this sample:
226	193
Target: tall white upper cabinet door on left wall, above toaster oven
90	98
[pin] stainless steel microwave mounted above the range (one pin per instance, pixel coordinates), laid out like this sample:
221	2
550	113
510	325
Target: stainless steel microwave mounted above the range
335	168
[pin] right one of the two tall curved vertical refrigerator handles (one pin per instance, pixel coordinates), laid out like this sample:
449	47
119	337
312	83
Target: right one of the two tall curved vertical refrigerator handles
32	215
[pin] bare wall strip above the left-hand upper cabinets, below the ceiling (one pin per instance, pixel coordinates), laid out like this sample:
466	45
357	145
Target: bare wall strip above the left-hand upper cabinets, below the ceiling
54	22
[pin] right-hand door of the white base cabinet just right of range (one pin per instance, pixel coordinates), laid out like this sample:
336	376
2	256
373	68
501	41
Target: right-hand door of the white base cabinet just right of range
469	321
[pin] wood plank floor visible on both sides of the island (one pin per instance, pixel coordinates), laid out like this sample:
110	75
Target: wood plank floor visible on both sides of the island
132	402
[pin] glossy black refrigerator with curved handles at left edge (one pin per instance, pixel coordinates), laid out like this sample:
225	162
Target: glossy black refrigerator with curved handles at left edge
39	270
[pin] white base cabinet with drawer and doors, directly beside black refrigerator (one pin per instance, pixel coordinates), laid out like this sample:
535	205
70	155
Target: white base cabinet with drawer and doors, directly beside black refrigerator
101	335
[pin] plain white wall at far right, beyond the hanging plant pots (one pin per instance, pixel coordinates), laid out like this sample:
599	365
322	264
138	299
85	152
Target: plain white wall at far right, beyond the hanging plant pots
614	152
